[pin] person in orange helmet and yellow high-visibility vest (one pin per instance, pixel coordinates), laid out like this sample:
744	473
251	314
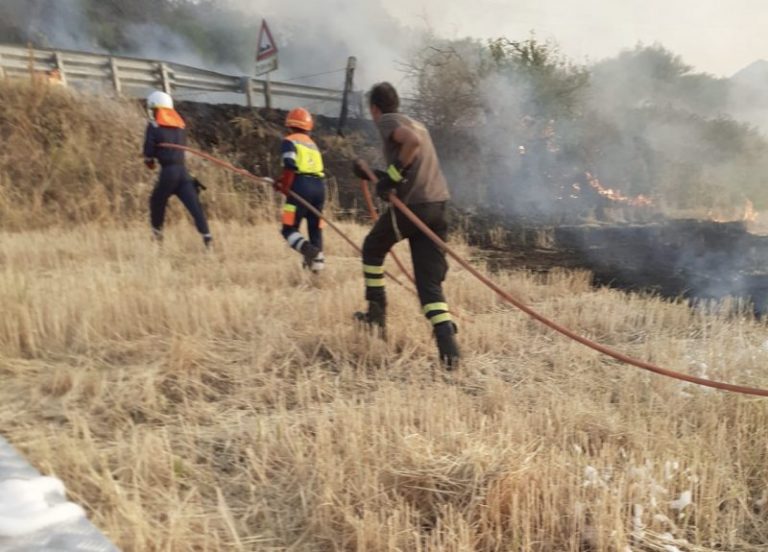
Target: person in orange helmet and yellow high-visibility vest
302	174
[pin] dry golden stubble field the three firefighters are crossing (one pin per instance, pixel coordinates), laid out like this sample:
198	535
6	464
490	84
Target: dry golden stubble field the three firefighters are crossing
226	401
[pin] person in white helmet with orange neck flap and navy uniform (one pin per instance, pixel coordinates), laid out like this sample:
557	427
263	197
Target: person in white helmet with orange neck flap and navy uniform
167	126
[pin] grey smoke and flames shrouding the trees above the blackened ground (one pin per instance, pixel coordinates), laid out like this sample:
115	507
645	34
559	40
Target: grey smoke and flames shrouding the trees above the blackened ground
561	142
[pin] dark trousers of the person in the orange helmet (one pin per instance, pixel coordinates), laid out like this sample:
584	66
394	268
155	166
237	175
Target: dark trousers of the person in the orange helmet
312	189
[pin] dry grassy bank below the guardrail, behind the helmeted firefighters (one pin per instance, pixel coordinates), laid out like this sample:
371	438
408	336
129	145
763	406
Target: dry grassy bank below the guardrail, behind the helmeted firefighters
72	159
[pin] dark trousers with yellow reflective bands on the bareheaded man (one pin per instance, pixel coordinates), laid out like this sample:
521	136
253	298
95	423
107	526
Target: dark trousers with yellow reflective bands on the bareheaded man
429	264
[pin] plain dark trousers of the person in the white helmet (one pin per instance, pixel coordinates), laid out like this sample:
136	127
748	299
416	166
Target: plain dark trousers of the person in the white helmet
174	180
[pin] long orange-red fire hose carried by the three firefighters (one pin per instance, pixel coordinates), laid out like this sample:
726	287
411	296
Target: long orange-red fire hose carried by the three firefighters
506	296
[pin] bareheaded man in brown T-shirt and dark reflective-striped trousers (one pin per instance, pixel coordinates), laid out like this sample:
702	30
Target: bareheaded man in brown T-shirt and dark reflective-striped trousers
414	174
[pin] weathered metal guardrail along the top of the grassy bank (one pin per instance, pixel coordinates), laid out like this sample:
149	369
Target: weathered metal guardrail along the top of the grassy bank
133	76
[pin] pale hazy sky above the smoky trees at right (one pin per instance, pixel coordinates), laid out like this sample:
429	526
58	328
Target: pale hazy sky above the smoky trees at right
713	36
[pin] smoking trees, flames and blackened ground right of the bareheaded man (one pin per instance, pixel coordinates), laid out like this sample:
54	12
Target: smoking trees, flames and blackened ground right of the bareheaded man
626	167
